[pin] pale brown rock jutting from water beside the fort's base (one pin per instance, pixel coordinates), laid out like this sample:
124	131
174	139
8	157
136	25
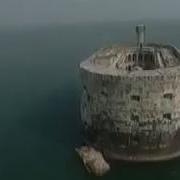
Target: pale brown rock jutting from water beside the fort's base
93	160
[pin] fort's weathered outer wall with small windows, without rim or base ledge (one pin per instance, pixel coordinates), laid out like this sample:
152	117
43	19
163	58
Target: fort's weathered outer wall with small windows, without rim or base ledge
131	112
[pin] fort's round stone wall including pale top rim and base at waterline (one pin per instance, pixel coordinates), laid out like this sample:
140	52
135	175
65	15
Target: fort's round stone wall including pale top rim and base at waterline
134	115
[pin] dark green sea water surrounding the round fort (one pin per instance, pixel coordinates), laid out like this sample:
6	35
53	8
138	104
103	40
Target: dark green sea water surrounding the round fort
39	99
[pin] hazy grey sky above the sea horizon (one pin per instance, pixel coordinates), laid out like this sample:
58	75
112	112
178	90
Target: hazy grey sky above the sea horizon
22	12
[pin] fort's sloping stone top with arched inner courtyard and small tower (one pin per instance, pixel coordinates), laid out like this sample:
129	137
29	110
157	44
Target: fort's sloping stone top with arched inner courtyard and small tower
128	59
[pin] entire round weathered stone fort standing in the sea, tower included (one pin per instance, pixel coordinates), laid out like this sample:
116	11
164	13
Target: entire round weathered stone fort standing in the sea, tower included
130	103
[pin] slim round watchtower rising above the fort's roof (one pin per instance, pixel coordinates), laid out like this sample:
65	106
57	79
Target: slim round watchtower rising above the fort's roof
140	31
